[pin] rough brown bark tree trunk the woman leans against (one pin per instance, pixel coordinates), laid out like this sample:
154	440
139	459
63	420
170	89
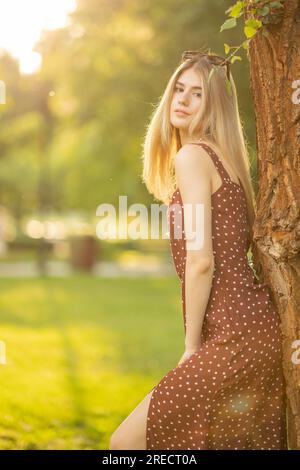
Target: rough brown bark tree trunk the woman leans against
275	77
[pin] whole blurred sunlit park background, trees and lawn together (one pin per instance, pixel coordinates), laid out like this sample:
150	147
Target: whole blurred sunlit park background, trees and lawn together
88	326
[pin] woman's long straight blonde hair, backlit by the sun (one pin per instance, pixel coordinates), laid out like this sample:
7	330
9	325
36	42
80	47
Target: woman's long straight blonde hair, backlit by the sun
217	122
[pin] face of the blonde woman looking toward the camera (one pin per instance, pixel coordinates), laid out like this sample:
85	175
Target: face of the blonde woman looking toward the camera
186	97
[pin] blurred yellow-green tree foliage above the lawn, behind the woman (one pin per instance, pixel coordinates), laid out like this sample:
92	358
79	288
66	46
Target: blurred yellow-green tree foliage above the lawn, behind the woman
75	127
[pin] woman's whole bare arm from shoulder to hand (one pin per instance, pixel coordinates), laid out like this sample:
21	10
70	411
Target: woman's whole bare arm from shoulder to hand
193	173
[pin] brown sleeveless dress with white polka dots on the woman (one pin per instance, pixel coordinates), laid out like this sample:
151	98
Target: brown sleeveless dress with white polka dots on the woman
230	394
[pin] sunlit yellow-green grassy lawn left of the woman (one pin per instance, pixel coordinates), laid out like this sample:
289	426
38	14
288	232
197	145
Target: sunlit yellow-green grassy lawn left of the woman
81	353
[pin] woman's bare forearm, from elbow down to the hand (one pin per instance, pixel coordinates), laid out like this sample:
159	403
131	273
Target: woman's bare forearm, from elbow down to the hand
198	283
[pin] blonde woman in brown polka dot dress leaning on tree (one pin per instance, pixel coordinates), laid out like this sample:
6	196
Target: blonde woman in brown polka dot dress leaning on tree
227	390
